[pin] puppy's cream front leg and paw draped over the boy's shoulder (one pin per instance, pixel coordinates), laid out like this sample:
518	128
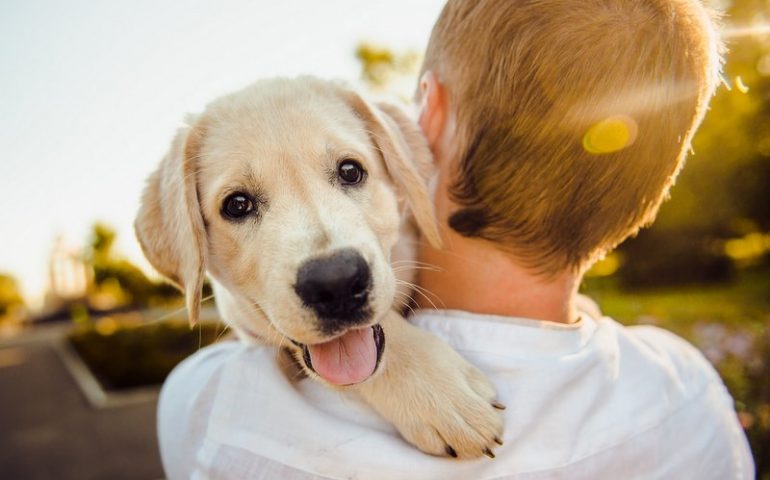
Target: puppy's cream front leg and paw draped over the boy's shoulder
435	398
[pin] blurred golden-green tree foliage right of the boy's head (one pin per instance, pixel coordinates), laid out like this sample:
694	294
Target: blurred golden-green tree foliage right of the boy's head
724	190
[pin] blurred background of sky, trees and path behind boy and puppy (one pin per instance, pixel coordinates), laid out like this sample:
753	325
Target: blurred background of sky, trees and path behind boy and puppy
91	94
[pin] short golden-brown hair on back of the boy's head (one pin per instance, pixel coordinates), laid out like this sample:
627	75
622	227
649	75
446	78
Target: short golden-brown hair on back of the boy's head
573	117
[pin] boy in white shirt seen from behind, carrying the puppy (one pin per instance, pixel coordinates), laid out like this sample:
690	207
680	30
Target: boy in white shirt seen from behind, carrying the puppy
557	127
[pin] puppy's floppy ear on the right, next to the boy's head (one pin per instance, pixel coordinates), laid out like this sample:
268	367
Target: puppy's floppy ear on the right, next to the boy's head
406	155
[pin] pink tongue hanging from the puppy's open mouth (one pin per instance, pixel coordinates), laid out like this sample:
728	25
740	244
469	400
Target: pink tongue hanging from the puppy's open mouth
348	359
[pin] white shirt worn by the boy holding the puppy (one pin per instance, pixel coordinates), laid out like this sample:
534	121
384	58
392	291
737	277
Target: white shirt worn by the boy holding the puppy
594	400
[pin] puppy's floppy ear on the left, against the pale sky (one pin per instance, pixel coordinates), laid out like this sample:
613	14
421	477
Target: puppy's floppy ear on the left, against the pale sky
169	224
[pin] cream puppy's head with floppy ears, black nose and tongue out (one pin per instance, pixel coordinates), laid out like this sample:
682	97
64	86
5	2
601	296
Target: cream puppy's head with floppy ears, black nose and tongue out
289	193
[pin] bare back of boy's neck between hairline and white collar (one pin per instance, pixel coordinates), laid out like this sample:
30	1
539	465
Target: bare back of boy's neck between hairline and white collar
473	276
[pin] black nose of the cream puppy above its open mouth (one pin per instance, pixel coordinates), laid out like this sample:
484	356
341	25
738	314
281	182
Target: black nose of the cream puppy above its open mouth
336	287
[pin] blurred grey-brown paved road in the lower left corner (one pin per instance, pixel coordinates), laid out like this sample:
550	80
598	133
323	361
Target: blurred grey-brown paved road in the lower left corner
49	431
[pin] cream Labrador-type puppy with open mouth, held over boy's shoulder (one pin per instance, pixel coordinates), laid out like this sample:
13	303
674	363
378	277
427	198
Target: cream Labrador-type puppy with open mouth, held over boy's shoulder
293	196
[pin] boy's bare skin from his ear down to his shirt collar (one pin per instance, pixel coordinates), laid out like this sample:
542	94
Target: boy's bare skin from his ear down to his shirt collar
469	274
